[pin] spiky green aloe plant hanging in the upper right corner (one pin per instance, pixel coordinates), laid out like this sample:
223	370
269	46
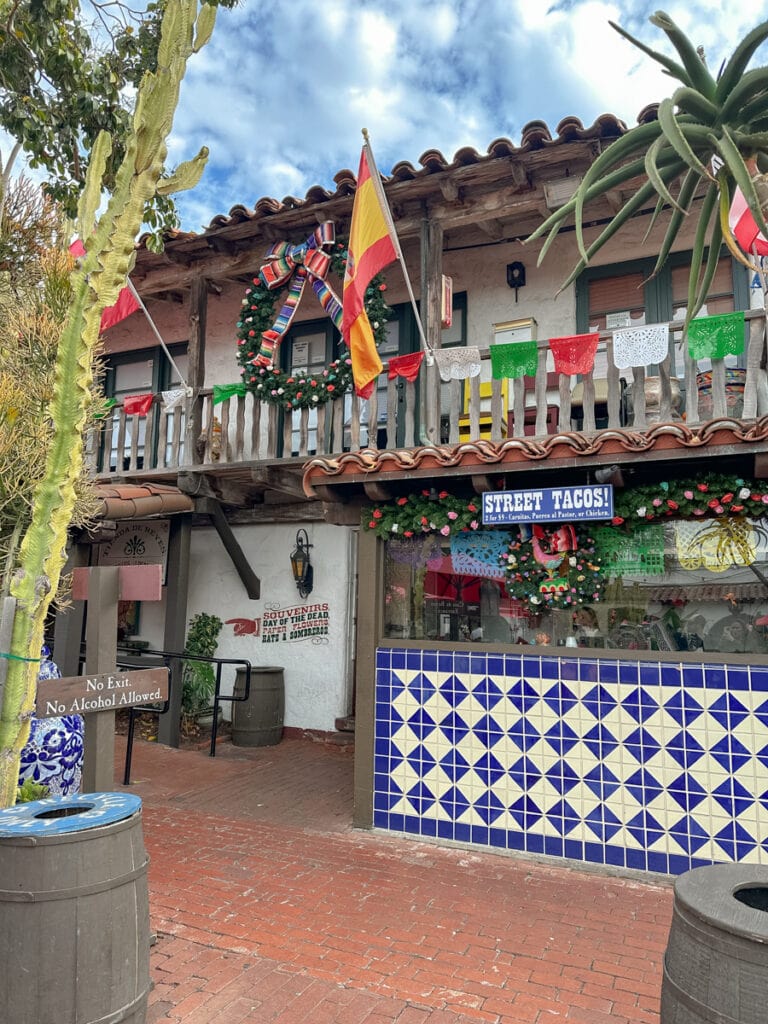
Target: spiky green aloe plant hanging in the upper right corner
711	137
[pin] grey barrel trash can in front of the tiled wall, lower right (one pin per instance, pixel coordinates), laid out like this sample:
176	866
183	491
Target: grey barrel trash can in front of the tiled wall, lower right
716	965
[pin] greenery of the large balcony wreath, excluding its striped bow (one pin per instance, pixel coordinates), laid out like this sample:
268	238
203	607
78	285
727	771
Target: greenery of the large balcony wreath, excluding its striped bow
271	385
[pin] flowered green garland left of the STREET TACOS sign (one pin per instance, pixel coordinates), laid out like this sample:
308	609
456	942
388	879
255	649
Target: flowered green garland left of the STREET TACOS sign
430	513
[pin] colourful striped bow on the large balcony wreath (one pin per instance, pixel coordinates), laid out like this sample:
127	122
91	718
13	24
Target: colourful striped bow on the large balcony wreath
294	266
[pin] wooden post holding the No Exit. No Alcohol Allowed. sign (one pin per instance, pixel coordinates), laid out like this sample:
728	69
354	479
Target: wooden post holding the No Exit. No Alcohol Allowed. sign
102	641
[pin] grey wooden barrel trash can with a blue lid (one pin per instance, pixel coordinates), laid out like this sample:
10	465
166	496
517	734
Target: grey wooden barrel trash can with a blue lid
75	911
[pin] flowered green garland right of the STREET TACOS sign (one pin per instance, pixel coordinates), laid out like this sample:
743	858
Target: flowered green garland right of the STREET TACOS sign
711	496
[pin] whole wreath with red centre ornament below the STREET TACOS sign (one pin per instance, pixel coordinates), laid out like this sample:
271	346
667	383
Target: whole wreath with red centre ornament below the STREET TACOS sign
553	568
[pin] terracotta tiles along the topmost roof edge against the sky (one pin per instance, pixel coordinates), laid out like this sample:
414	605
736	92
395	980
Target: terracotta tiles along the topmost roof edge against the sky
535	136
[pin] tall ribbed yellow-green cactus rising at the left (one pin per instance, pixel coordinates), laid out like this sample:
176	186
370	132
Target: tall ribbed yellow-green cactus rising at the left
110	253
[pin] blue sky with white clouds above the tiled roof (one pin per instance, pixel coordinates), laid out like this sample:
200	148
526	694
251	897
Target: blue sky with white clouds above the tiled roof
282	93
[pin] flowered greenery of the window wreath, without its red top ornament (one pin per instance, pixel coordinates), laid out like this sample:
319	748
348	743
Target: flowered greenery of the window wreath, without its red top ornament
576	581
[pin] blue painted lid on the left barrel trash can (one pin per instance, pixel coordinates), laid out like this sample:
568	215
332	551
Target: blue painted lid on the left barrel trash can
59	816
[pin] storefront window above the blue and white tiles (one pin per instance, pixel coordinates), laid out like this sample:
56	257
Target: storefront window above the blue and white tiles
681	585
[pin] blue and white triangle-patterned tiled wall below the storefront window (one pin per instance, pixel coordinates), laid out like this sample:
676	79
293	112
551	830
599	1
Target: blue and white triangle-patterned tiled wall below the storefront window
641	765
